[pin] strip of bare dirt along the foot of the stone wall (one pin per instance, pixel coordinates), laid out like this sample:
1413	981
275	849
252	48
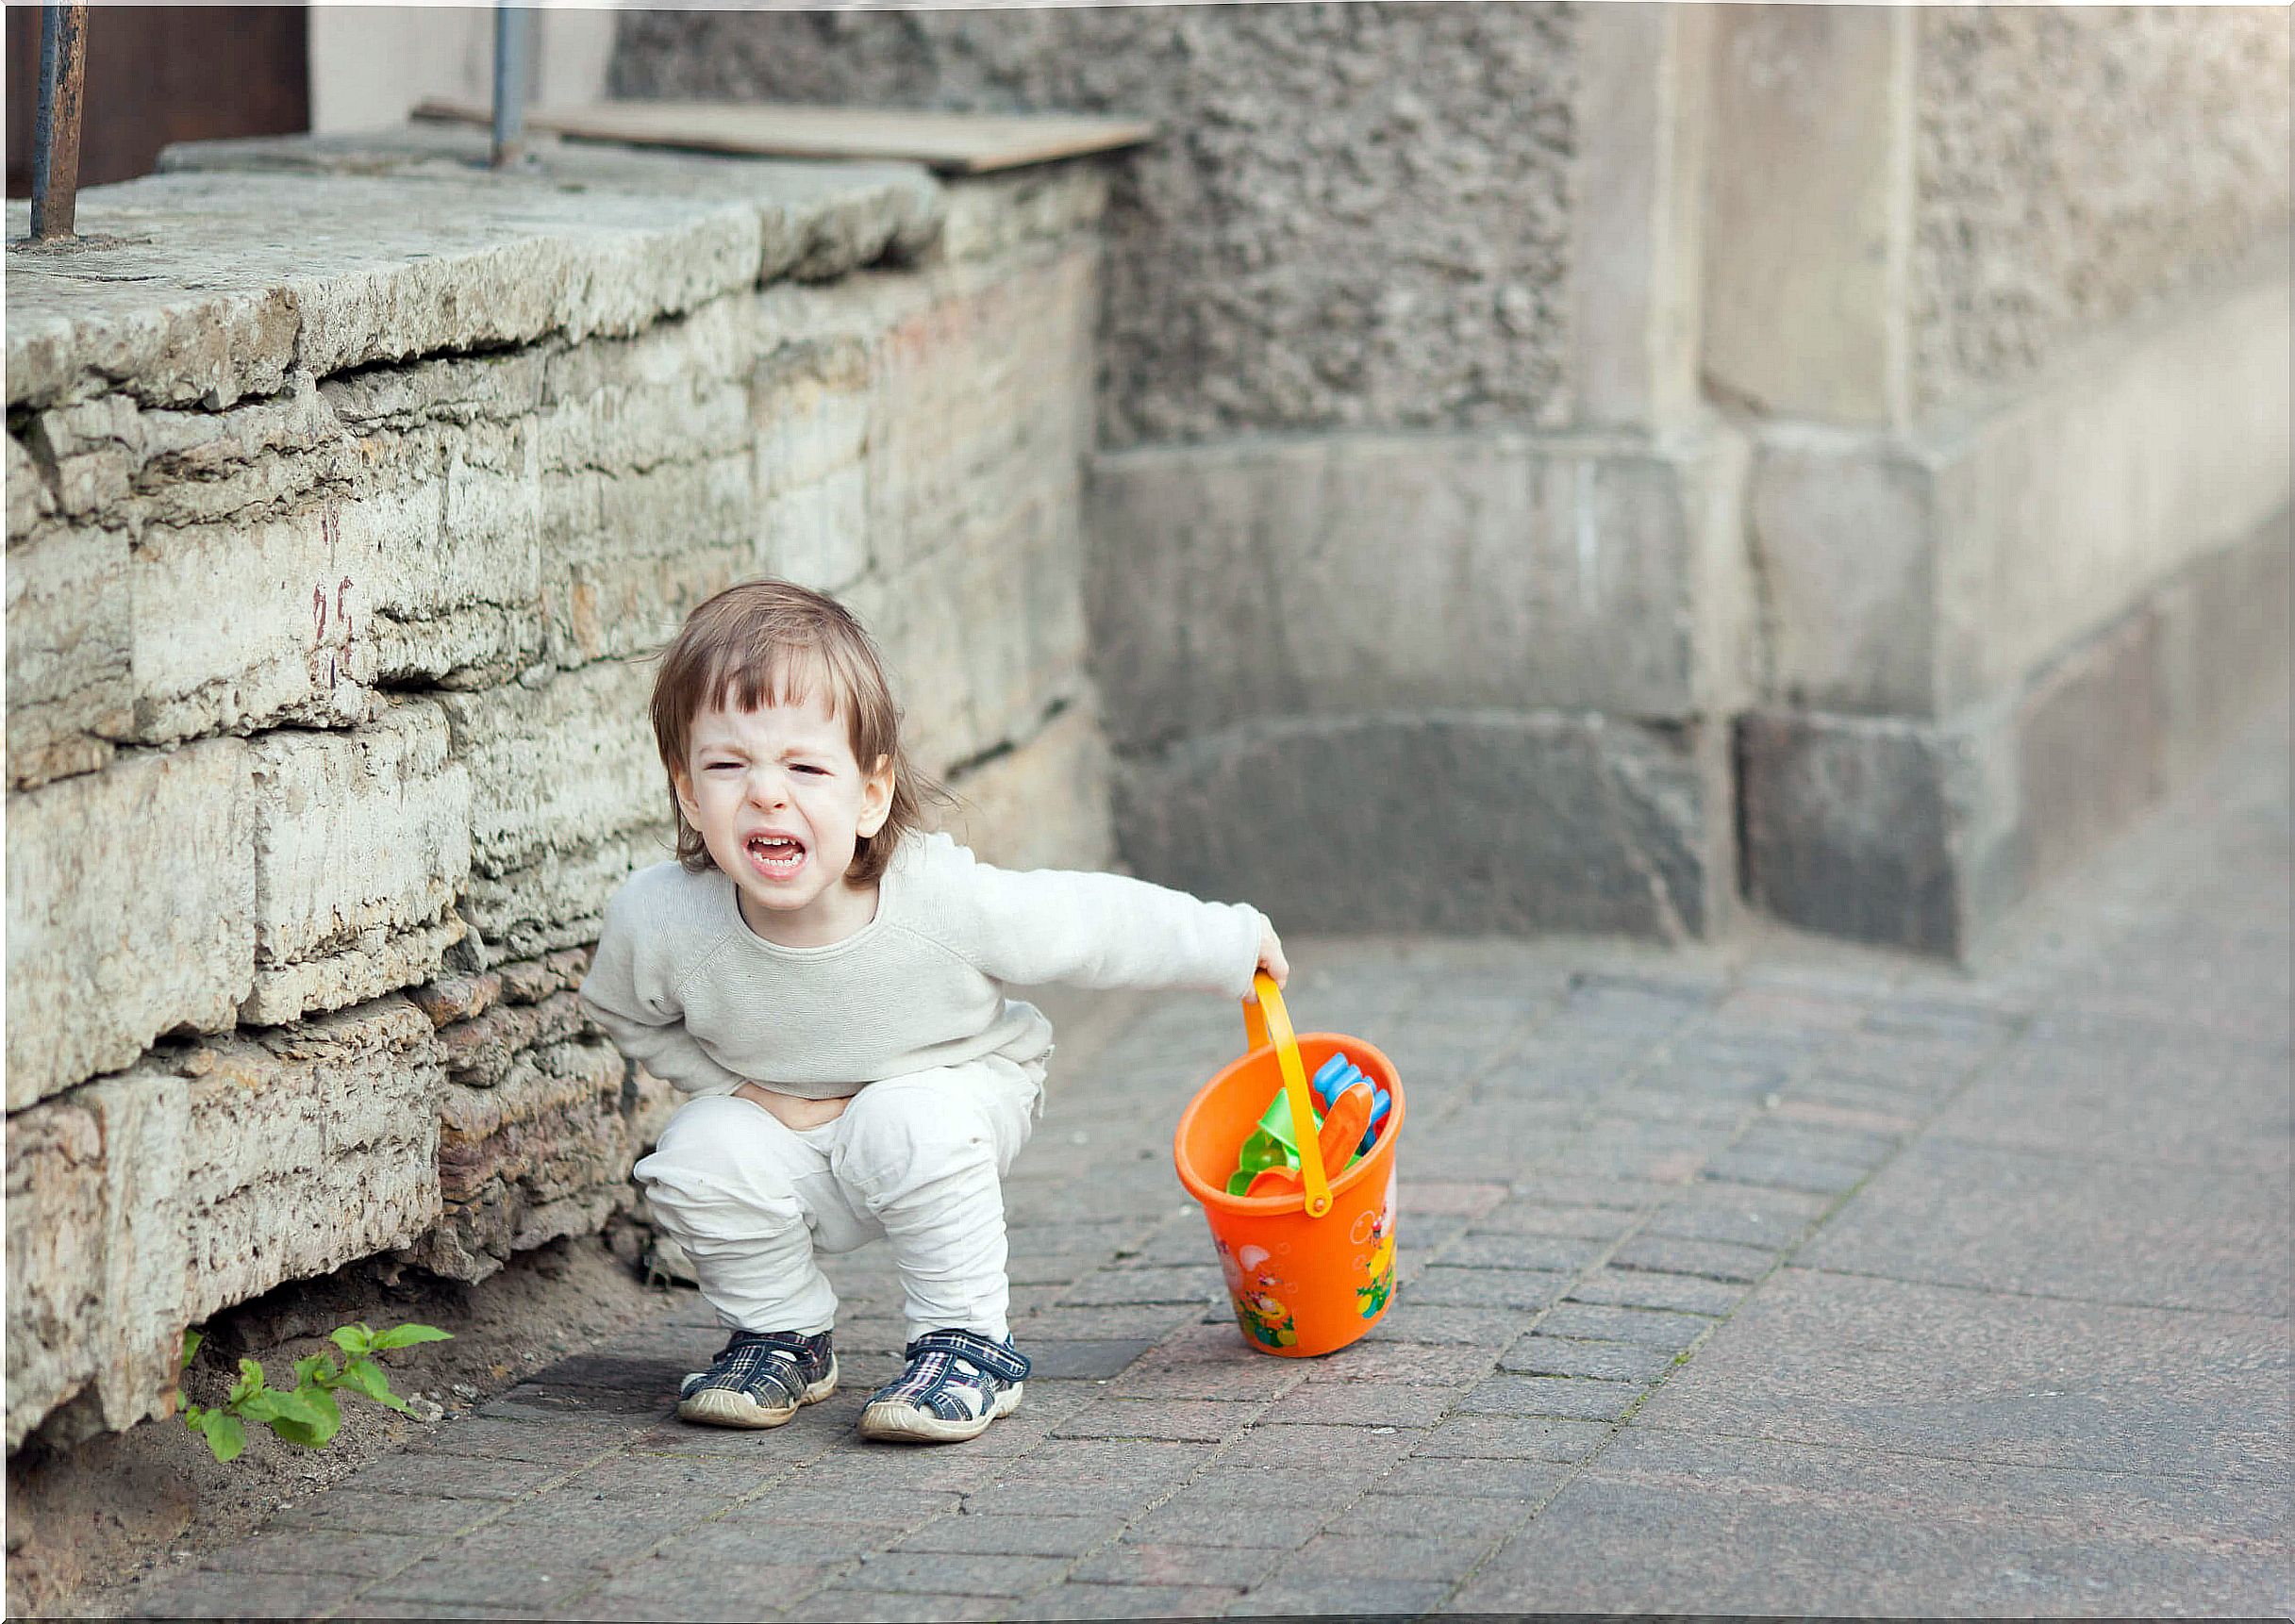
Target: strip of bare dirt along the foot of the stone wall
91	1524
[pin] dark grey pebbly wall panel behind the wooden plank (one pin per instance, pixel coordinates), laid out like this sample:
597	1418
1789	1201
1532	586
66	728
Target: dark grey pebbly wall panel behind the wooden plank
1355	214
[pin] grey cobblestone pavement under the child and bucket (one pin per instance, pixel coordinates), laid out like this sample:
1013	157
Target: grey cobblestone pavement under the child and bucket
1794	1281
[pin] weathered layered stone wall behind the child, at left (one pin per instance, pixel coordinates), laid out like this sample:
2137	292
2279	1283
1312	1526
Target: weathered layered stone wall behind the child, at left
348	494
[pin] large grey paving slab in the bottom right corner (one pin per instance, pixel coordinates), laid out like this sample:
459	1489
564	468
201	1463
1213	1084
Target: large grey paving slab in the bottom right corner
1862	1533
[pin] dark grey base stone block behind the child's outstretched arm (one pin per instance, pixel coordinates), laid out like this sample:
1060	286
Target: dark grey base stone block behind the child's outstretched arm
1472	822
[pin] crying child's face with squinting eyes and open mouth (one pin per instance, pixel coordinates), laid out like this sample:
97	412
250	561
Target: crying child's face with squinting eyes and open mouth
781	806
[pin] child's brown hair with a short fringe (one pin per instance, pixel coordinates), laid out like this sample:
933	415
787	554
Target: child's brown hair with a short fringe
768	643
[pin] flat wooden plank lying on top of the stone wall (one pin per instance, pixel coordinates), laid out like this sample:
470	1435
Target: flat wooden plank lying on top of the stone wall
954	143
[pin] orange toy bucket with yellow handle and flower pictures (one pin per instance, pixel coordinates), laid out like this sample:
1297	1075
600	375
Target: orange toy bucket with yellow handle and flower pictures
1312	1270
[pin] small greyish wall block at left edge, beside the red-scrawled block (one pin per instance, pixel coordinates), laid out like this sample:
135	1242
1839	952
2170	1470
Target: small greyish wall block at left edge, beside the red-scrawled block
70	637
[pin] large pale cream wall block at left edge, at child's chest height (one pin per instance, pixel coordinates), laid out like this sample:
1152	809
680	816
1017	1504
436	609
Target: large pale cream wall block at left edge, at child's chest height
130	912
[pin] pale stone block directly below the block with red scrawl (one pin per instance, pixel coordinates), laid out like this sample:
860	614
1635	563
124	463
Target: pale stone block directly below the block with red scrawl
361	848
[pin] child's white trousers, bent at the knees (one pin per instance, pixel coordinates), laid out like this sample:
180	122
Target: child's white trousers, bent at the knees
917	1160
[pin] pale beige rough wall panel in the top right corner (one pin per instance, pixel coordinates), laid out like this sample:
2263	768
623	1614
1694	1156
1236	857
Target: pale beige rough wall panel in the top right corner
2046	208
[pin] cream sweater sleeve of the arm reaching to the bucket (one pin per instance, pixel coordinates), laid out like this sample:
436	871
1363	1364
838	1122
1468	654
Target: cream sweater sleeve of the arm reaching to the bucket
1096	930
